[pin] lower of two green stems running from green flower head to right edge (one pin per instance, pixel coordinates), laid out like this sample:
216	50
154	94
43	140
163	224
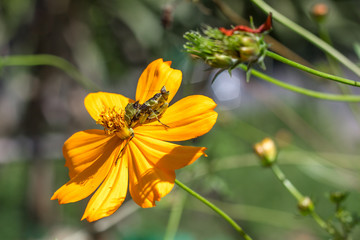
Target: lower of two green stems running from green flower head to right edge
311	93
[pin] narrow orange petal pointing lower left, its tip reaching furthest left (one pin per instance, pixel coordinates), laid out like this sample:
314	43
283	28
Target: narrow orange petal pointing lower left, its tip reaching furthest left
85	182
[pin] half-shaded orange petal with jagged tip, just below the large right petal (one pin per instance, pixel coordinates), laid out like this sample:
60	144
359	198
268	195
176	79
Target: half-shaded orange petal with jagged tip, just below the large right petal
167	155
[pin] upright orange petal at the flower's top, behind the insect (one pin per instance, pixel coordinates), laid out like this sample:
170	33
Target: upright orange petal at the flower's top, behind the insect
155	76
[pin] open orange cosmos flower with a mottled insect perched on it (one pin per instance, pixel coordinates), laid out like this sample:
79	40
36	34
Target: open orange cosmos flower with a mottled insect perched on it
131	153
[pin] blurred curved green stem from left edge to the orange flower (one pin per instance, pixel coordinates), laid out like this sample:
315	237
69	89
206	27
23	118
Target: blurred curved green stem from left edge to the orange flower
50	60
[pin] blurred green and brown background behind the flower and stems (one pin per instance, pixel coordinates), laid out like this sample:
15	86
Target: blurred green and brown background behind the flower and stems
111	42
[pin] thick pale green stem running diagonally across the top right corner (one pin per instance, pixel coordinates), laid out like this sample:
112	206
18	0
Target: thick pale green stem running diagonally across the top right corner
309	36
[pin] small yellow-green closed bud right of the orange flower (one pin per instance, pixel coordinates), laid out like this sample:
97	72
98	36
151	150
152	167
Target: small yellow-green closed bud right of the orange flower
267	152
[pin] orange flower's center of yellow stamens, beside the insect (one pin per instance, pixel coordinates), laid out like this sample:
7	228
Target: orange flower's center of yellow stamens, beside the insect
113	122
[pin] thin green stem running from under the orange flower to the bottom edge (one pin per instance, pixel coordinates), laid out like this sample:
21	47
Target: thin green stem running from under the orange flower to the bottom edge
215	208
